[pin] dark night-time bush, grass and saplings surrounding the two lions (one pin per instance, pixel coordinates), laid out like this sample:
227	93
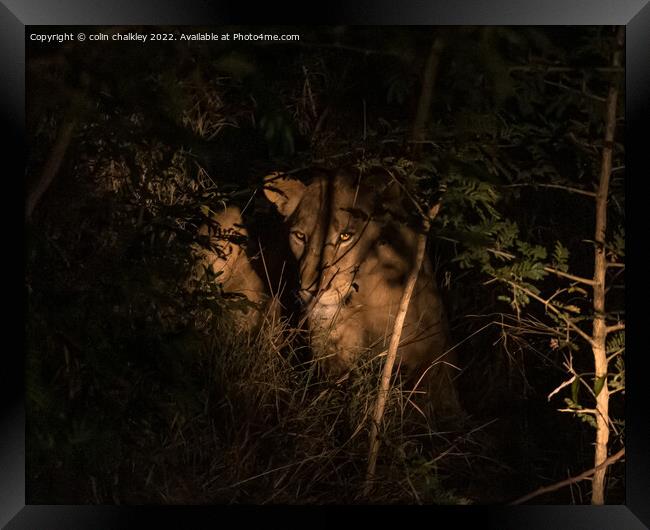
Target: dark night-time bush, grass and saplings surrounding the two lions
139	389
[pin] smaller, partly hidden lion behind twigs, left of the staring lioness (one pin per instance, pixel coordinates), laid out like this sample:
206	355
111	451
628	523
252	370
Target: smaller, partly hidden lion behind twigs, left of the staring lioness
227	259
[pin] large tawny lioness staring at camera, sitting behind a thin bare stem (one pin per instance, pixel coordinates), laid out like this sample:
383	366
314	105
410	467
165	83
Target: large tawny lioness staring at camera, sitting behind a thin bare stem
355	245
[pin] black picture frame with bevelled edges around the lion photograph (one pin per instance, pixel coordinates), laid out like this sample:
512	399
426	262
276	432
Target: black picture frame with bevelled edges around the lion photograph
16	15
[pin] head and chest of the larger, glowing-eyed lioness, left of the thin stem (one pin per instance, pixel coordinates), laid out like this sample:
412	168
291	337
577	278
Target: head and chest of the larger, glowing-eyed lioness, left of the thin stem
352	262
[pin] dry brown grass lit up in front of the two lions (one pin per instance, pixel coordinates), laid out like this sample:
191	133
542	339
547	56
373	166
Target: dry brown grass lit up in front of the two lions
284	434
